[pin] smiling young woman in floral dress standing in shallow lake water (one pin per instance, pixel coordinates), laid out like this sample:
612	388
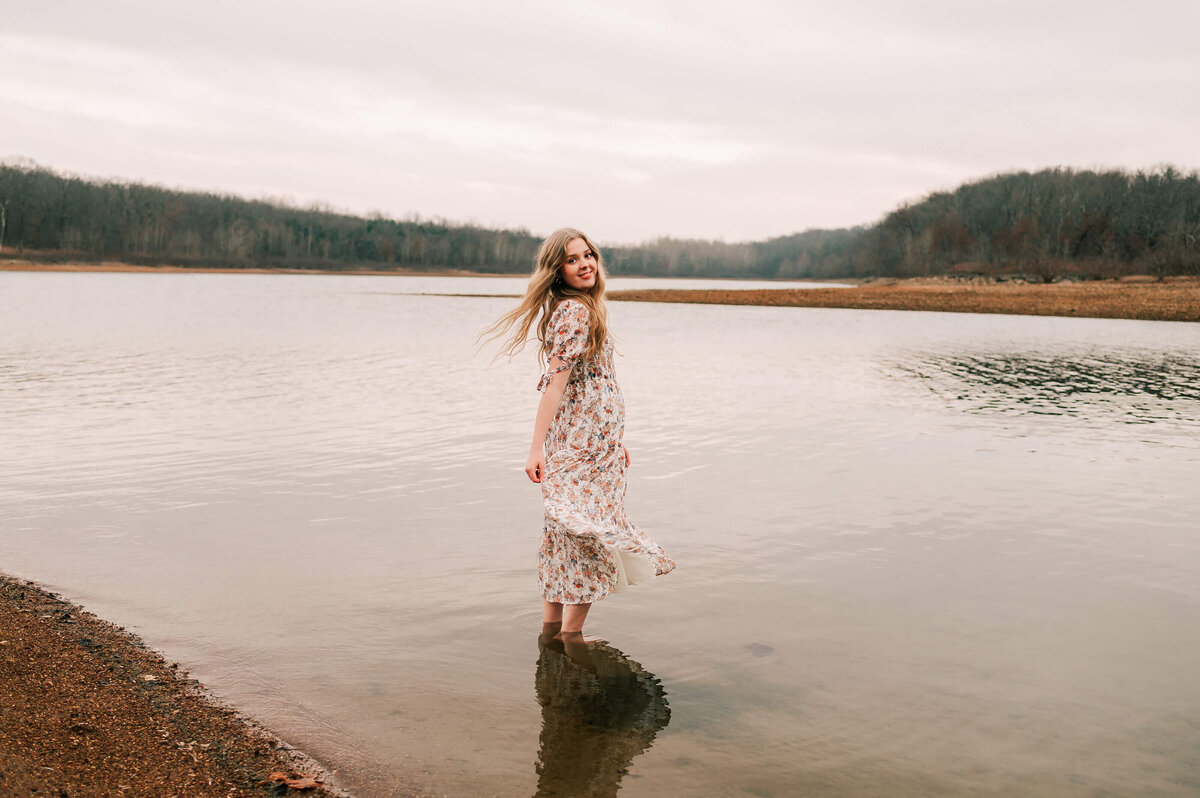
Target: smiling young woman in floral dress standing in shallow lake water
590	549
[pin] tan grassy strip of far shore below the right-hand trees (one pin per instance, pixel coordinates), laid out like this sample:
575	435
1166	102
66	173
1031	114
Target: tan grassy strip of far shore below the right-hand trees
1175	301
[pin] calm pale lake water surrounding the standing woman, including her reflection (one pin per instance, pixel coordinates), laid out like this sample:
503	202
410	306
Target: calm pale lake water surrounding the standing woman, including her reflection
920	555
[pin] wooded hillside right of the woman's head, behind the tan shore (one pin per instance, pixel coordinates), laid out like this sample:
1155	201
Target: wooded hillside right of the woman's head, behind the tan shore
1045	225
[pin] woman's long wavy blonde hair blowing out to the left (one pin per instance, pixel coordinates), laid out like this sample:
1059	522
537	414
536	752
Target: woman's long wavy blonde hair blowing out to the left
547	290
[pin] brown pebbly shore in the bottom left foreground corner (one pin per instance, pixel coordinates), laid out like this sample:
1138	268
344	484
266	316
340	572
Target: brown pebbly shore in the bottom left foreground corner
86	710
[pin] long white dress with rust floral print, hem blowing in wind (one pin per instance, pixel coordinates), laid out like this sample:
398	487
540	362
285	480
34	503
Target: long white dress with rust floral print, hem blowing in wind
590	549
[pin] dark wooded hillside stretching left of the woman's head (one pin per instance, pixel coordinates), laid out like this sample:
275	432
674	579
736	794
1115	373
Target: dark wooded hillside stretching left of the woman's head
52	217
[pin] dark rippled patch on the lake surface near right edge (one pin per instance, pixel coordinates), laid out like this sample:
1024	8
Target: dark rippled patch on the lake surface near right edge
1142	389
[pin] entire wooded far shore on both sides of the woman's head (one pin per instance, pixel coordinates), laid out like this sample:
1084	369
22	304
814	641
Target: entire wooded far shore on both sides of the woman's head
1046	225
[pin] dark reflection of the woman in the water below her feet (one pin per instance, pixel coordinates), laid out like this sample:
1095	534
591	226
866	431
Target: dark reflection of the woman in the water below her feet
599	710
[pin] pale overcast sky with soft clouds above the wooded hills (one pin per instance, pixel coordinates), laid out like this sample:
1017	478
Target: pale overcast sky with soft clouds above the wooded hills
733	121
